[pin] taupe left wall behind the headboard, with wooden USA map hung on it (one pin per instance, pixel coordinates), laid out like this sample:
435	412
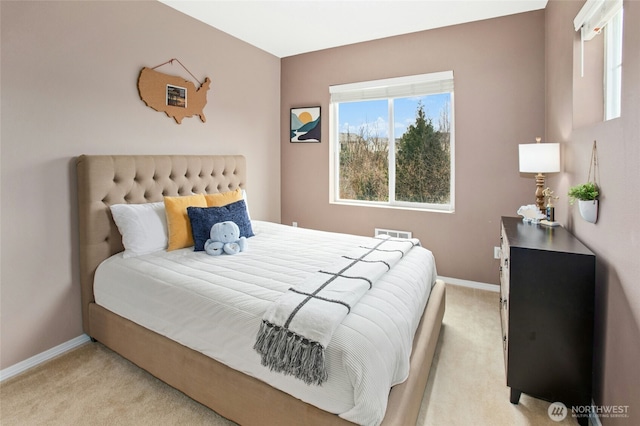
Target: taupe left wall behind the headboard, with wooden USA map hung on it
69	73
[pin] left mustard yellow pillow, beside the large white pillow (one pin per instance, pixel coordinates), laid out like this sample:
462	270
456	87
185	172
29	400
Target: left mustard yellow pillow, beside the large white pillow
178	224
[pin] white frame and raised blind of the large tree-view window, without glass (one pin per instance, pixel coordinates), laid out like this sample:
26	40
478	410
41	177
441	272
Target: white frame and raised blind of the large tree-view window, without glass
416	85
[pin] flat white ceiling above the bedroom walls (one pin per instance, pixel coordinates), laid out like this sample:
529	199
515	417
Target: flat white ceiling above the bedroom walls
286	28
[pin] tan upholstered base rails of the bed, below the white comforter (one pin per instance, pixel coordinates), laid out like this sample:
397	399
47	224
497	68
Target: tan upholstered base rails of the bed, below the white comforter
244	399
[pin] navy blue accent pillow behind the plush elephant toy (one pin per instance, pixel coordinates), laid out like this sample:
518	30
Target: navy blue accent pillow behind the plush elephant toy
203	218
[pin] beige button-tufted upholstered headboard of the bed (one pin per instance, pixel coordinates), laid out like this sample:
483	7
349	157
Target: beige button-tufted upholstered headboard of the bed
104	180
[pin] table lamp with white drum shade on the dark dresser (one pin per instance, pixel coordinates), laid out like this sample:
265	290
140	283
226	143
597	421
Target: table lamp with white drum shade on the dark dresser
539	158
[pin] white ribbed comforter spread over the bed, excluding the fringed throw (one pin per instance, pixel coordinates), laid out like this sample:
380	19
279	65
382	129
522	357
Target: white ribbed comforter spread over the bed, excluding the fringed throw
215	304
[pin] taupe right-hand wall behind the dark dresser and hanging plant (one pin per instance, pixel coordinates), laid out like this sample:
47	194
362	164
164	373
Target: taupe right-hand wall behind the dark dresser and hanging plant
615	238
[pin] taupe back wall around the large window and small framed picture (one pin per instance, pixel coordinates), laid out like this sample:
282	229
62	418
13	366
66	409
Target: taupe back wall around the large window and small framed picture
498	68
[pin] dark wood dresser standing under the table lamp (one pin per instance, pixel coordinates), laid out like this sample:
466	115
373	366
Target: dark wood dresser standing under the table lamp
547	288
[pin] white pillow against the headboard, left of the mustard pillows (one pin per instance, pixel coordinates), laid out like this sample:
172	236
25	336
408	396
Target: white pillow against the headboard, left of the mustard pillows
143	227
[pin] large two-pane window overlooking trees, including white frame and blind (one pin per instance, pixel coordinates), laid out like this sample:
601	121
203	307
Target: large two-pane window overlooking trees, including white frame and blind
392	142
